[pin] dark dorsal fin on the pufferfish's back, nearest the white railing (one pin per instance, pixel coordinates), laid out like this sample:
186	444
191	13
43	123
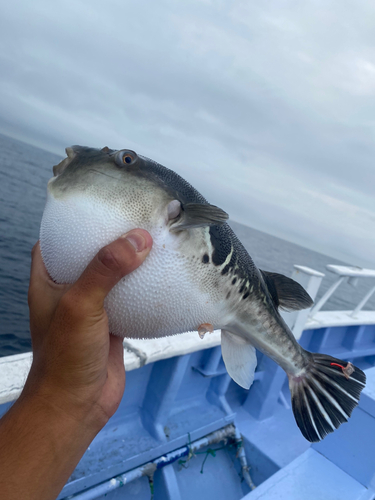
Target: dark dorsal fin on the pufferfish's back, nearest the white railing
286	293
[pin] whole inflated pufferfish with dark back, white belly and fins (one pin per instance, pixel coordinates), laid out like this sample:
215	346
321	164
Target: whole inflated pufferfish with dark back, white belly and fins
198	276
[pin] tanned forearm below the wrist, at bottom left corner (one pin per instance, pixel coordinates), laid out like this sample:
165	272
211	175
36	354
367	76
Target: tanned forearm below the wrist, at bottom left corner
40	445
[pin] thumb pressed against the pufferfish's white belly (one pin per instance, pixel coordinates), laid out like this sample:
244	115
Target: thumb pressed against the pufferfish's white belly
111	263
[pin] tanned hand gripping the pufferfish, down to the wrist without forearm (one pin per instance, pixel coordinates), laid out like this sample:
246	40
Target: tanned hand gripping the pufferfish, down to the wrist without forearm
77	364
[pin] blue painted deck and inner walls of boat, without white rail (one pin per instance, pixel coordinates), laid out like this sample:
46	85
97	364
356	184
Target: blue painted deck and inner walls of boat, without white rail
172	403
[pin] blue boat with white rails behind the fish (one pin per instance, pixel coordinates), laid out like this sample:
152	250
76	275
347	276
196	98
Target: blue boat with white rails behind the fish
184	430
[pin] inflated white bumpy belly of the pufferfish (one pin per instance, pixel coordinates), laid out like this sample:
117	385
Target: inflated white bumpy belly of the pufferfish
170	293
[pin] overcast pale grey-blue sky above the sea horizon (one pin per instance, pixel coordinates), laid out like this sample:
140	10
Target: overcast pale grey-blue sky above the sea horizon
267	108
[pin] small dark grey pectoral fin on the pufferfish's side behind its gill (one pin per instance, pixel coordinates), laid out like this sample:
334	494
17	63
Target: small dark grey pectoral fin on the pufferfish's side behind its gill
198	215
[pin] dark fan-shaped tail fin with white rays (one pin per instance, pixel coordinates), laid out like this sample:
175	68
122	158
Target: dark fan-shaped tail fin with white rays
324	396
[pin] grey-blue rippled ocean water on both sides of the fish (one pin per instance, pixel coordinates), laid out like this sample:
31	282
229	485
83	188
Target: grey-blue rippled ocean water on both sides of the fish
24	173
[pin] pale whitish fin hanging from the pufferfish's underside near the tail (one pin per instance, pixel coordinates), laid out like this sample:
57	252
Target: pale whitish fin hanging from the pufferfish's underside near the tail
239	357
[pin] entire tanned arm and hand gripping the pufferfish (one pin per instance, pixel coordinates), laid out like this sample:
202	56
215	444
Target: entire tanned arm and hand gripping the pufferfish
77	376
